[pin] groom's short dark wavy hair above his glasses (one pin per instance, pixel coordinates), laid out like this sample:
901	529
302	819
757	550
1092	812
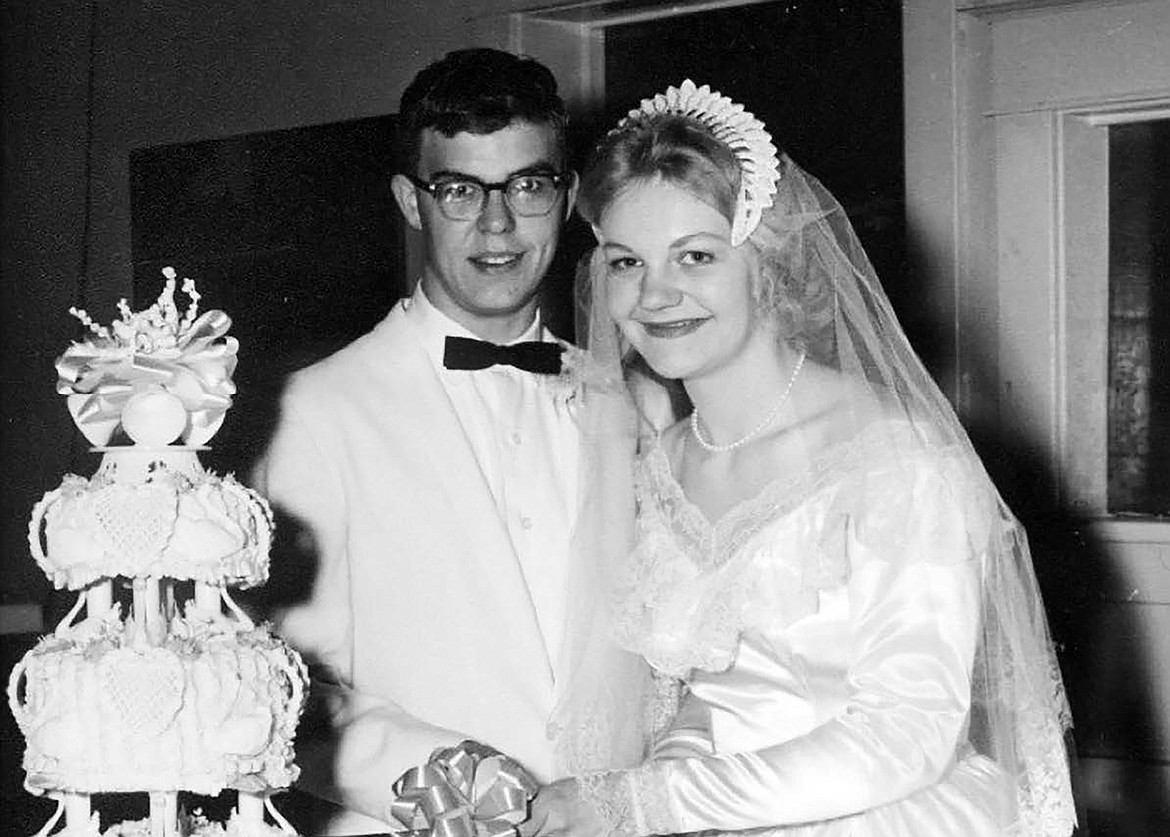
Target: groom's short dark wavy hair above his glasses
480	92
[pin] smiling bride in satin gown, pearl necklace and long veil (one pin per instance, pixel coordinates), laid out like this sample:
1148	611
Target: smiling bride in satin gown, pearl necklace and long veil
825	574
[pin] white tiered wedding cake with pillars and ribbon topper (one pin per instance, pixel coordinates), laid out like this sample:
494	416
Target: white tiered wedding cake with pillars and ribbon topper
164	684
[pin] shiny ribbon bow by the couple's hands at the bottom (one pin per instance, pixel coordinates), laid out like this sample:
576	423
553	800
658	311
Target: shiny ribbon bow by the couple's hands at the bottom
467	791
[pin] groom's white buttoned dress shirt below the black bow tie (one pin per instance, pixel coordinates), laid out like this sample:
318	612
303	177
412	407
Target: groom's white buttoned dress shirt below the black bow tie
527	444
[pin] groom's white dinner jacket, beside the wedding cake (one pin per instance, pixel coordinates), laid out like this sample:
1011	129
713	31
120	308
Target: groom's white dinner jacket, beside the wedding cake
418	602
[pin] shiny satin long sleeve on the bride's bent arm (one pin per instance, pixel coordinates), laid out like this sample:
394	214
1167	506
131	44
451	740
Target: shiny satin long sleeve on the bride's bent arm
914	616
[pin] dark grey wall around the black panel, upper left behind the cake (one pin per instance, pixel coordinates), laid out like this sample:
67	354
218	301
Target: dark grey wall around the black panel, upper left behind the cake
86	85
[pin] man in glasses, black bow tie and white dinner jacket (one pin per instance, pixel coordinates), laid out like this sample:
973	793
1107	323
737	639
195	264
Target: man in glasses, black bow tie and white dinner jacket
435	484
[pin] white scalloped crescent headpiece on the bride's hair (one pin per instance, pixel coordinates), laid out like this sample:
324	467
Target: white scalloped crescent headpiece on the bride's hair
740	132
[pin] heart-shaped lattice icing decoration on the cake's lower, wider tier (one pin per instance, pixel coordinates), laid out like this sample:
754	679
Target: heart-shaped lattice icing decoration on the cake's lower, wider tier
143	689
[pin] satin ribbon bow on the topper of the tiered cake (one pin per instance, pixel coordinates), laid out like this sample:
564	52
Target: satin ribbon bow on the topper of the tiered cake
99	380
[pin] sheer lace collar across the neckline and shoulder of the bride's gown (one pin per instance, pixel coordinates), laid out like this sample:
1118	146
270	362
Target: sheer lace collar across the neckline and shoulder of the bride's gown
693	586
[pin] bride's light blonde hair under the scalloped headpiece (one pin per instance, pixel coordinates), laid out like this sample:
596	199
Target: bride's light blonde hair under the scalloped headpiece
682	152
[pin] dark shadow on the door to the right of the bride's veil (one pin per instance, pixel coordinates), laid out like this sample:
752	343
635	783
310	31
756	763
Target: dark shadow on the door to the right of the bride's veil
1104	654
